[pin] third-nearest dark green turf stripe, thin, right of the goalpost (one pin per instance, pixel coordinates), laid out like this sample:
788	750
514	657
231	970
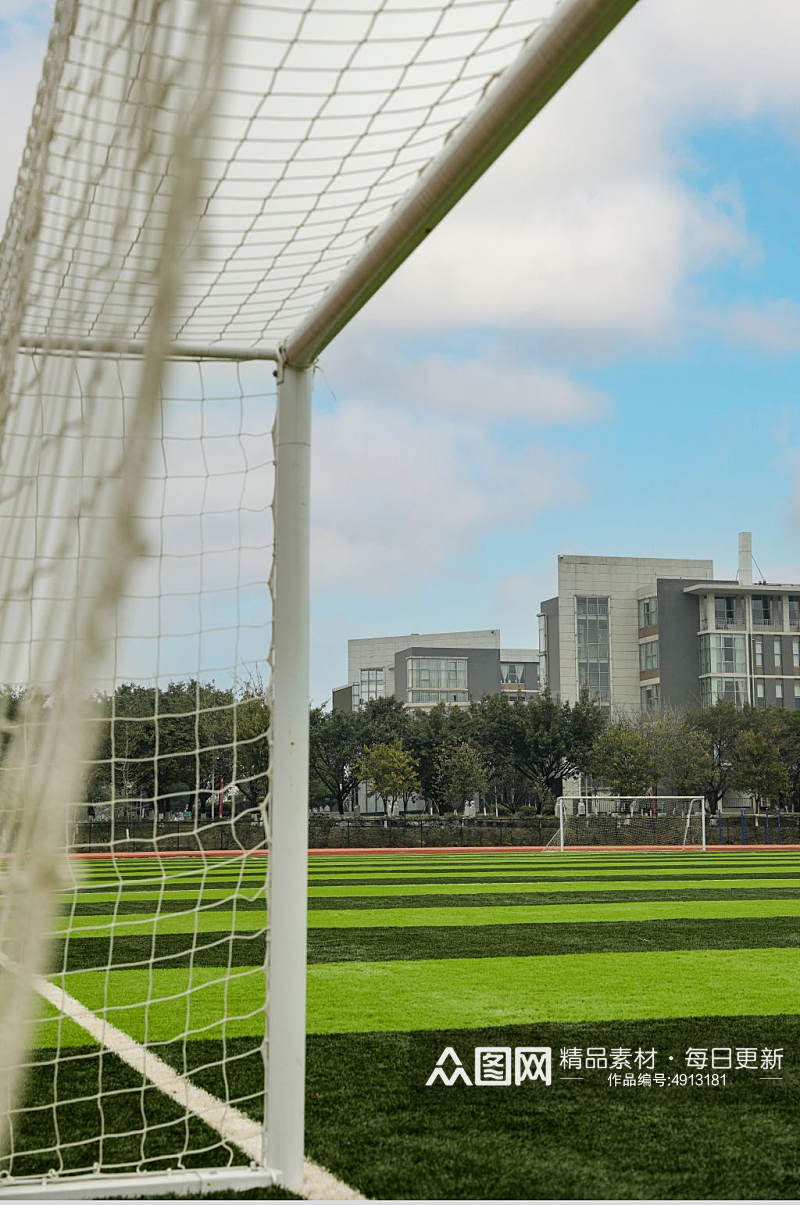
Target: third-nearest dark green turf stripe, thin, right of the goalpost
504	901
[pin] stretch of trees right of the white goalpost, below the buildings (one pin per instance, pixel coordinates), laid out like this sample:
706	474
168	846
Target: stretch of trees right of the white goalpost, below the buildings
515	754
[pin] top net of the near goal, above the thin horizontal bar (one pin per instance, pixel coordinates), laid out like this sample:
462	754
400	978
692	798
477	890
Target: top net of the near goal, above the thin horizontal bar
328	114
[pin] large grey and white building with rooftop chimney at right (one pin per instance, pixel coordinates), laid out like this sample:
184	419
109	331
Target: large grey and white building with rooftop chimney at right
649	633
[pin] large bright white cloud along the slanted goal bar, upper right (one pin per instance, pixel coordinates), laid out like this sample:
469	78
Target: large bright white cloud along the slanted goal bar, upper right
587	227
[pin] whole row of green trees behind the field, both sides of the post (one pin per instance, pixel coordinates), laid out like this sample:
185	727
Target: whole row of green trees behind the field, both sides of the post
180	744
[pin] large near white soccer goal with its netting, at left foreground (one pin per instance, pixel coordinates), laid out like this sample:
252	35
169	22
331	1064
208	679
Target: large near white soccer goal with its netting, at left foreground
209	192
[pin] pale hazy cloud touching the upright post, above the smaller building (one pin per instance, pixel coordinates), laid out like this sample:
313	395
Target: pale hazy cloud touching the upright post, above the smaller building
392	498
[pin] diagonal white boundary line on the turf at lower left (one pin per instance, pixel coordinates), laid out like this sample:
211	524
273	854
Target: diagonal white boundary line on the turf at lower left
230	1122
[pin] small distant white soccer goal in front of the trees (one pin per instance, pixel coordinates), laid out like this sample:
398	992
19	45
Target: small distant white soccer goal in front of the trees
636	821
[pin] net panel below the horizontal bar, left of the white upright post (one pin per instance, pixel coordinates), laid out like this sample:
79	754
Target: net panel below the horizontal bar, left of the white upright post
158	919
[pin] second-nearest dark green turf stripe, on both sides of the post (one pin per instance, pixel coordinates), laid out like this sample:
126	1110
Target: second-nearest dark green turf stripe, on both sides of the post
383	945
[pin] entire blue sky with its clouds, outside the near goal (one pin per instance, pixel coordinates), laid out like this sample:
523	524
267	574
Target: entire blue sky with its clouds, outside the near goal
597	352
